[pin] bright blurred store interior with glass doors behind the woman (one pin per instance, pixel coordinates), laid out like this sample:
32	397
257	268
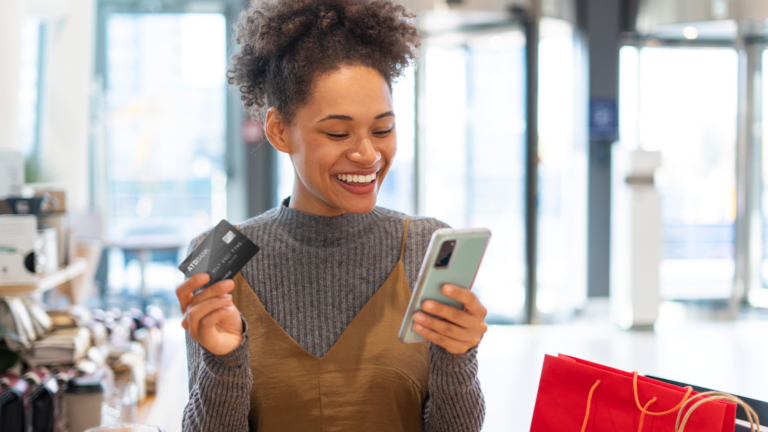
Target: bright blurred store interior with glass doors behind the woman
505	123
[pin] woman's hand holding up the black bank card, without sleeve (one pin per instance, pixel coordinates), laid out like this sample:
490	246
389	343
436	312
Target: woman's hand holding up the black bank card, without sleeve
210	317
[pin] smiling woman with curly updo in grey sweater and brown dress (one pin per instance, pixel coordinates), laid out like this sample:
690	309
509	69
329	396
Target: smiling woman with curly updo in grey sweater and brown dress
305	337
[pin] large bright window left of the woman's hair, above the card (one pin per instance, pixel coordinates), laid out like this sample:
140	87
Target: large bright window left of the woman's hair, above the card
166	96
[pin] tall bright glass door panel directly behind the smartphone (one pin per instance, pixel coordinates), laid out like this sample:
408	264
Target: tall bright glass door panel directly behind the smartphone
472	153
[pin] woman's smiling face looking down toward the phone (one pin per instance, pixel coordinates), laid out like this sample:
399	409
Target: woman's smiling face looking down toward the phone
342	142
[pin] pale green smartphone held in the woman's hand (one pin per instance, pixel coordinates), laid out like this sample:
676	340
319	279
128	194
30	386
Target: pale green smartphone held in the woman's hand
453	257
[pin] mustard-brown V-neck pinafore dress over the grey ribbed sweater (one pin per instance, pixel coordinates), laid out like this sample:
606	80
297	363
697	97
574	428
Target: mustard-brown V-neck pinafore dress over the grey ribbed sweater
369	380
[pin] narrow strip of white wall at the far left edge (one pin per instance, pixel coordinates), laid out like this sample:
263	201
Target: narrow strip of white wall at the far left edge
11	17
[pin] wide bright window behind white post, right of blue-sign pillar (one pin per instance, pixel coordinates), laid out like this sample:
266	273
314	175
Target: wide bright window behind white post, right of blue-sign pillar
686	108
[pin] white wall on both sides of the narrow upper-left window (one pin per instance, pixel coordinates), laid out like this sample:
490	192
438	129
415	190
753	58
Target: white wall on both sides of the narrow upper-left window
64	122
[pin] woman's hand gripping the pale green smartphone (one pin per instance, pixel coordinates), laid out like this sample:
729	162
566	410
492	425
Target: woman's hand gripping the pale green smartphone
461	329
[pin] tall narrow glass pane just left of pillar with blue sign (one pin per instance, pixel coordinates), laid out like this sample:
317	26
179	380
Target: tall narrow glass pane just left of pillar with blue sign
562	210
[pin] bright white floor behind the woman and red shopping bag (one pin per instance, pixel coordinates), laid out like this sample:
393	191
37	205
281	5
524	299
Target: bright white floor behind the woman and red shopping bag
728	356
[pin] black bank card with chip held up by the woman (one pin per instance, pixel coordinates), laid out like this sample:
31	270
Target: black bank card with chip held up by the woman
221	254
